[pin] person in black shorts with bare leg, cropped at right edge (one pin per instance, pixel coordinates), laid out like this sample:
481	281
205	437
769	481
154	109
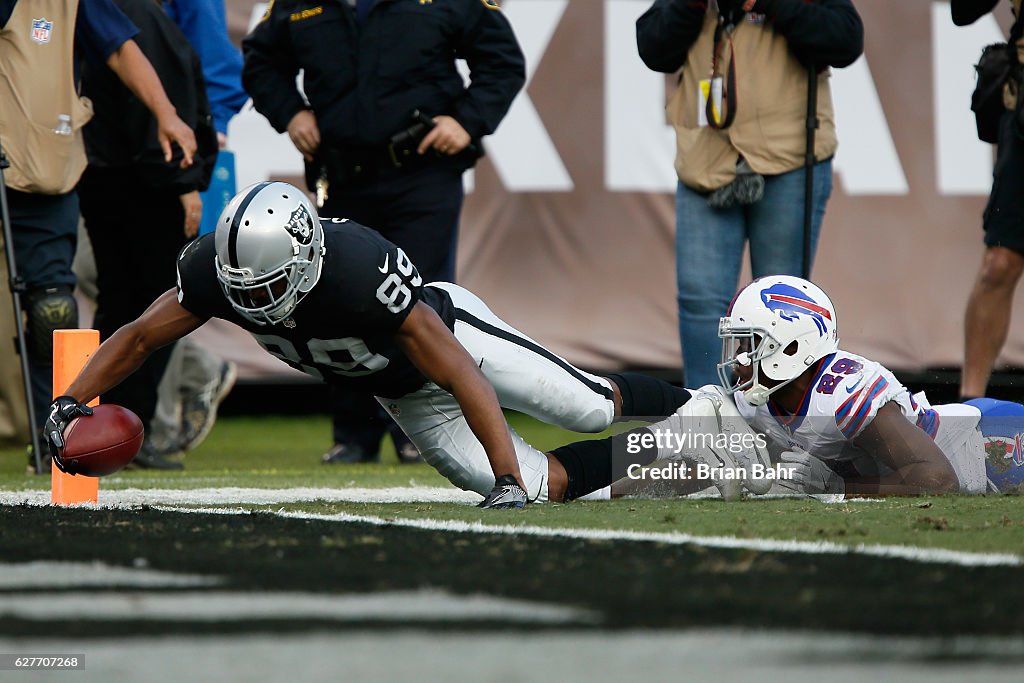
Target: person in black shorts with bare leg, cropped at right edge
987	322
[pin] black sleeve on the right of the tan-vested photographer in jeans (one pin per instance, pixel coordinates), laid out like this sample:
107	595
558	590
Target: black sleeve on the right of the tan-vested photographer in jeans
828	33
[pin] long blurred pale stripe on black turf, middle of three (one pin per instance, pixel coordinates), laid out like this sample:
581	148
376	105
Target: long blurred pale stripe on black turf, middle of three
233	607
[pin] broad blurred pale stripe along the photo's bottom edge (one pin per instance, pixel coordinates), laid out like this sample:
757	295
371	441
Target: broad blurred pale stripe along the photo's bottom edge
566	655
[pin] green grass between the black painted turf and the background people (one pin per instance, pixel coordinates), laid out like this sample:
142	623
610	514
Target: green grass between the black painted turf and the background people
284	453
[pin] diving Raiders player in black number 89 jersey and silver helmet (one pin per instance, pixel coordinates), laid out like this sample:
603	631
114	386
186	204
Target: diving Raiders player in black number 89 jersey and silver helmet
337	302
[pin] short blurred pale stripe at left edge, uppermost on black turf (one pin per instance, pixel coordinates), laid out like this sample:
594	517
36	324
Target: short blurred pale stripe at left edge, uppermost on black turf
17	576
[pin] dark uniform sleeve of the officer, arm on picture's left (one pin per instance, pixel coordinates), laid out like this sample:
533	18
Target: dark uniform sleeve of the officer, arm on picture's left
270	69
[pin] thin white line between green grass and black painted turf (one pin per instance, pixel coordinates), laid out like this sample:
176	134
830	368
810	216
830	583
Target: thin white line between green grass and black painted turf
912	553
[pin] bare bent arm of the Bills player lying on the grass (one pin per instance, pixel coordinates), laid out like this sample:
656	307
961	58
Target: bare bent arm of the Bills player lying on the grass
920	466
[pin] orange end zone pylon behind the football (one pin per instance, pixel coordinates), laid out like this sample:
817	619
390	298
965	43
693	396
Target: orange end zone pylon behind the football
71	350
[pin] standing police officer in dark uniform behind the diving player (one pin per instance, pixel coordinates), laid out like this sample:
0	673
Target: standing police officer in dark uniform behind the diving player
388	127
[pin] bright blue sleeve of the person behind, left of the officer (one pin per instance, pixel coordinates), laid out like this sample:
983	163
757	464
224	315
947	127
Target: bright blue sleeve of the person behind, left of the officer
205	27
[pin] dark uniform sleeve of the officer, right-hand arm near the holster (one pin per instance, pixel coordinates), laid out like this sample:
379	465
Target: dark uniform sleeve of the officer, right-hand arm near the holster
497	67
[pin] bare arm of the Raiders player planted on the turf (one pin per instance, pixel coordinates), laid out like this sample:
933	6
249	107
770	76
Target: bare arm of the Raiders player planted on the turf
432	347
